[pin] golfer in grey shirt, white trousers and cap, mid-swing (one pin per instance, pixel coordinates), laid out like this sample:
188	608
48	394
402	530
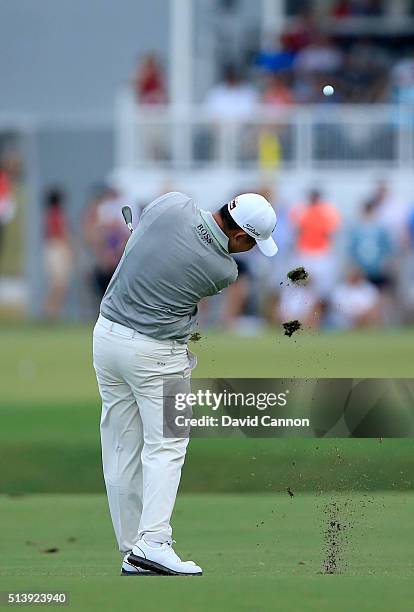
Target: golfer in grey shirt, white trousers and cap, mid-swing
177	255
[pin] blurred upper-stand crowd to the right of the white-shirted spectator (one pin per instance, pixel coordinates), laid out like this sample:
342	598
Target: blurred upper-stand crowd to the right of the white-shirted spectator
295	66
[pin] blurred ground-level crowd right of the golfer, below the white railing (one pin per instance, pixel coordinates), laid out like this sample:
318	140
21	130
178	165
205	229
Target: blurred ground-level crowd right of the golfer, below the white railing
361	272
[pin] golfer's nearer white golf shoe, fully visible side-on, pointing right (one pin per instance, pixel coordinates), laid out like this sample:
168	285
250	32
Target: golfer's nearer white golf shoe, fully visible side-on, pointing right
162	560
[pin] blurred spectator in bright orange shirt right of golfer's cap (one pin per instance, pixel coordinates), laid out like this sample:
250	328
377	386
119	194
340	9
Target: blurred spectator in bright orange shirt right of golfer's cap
316	222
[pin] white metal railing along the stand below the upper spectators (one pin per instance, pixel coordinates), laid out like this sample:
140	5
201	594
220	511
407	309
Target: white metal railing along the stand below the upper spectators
317	136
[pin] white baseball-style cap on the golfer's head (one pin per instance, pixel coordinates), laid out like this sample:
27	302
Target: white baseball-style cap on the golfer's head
255	215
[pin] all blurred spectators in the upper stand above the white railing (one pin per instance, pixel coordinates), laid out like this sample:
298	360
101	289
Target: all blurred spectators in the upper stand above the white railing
295	65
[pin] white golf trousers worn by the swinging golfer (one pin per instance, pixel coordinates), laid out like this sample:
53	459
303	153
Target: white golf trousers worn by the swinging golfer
142	468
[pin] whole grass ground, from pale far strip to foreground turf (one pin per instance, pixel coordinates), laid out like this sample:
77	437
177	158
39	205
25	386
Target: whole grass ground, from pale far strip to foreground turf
260	548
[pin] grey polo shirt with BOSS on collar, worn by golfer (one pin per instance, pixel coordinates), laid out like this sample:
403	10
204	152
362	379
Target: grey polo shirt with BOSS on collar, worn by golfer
176	256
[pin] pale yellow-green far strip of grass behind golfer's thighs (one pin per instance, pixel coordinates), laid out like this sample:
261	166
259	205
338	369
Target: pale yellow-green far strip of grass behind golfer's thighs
38	364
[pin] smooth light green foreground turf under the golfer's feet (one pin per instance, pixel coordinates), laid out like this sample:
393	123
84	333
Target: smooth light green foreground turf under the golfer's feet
259	553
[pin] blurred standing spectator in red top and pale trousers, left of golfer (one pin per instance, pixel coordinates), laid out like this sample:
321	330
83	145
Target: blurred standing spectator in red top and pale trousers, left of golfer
57	253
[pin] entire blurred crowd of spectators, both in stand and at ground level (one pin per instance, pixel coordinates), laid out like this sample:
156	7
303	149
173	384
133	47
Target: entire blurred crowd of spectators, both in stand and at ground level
361	272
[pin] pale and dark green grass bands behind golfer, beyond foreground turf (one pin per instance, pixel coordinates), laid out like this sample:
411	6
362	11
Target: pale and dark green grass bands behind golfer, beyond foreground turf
49	413
